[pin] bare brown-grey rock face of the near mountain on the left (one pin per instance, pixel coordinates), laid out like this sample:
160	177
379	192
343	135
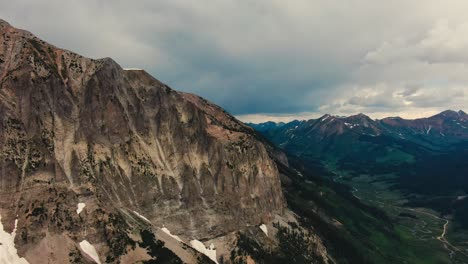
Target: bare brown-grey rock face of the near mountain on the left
77	130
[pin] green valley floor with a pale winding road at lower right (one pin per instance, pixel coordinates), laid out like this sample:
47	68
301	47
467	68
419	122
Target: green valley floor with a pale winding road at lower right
421	230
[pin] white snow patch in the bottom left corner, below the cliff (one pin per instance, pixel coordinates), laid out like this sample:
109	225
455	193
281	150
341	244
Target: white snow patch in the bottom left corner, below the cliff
8	252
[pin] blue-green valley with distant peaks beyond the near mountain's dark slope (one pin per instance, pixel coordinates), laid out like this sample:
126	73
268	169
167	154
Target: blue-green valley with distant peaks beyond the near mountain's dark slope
414	171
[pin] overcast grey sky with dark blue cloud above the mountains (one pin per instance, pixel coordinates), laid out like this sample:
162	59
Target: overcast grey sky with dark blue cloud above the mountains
275	59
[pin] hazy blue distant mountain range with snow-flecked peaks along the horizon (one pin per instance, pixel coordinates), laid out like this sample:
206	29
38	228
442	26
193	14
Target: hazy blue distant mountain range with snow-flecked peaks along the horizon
443	129
